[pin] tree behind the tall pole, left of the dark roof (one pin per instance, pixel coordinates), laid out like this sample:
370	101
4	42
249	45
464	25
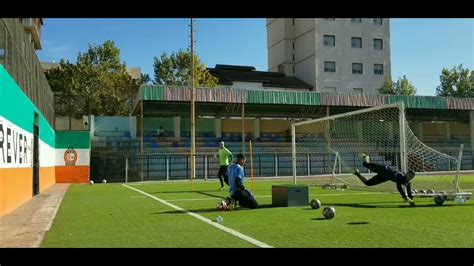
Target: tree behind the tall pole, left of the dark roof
175	69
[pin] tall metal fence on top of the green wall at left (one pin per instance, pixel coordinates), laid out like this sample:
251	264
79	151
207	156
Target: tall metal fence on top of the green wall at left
19	58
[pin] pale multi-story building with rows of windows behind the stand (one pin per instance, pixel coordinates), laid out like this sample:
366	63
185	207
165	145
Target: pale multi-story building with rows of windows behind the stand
346	55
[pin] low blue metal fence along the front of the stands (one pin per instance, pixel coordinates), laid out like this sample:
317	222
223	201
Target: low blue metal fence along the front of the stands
127	168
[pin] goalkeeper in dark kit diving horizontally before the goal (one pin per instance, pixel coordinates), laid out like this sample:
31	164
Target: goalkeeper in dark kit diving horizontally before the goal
386	173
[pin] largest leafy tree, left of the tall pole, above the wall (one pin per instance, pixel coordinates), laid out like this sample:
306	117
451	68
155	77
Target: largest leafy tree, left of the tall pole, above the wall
98	80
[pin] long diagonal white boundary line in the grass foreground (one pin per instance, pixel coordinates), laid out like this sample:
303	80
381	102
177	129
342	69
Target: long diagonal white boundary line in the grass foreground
203	219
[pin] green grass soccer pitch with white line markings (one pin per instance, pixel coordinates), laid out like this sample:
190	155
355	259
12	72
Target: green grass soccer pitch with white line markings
172	215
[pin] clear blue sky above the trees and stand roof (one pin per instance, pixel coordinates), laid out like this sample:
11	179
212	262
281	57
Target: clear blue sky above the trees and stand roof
420	48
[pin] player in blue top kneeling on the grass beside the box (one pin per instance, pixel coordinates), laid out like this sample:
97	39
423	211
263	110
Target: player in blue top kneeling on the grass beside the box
238	193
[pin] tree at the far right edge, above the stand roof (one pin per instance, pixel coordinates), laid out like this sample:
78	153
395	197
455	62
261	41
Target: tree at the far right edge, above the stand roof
457	82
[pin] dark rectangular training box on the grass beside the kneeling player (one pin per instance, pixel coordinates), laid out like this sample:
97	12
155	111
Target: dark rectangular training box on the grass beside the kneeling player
289	195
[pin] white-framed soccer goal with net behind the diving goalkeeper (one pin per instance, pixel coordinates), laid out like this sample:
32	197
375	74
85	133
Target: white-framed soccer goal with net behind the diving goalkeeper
328	148
